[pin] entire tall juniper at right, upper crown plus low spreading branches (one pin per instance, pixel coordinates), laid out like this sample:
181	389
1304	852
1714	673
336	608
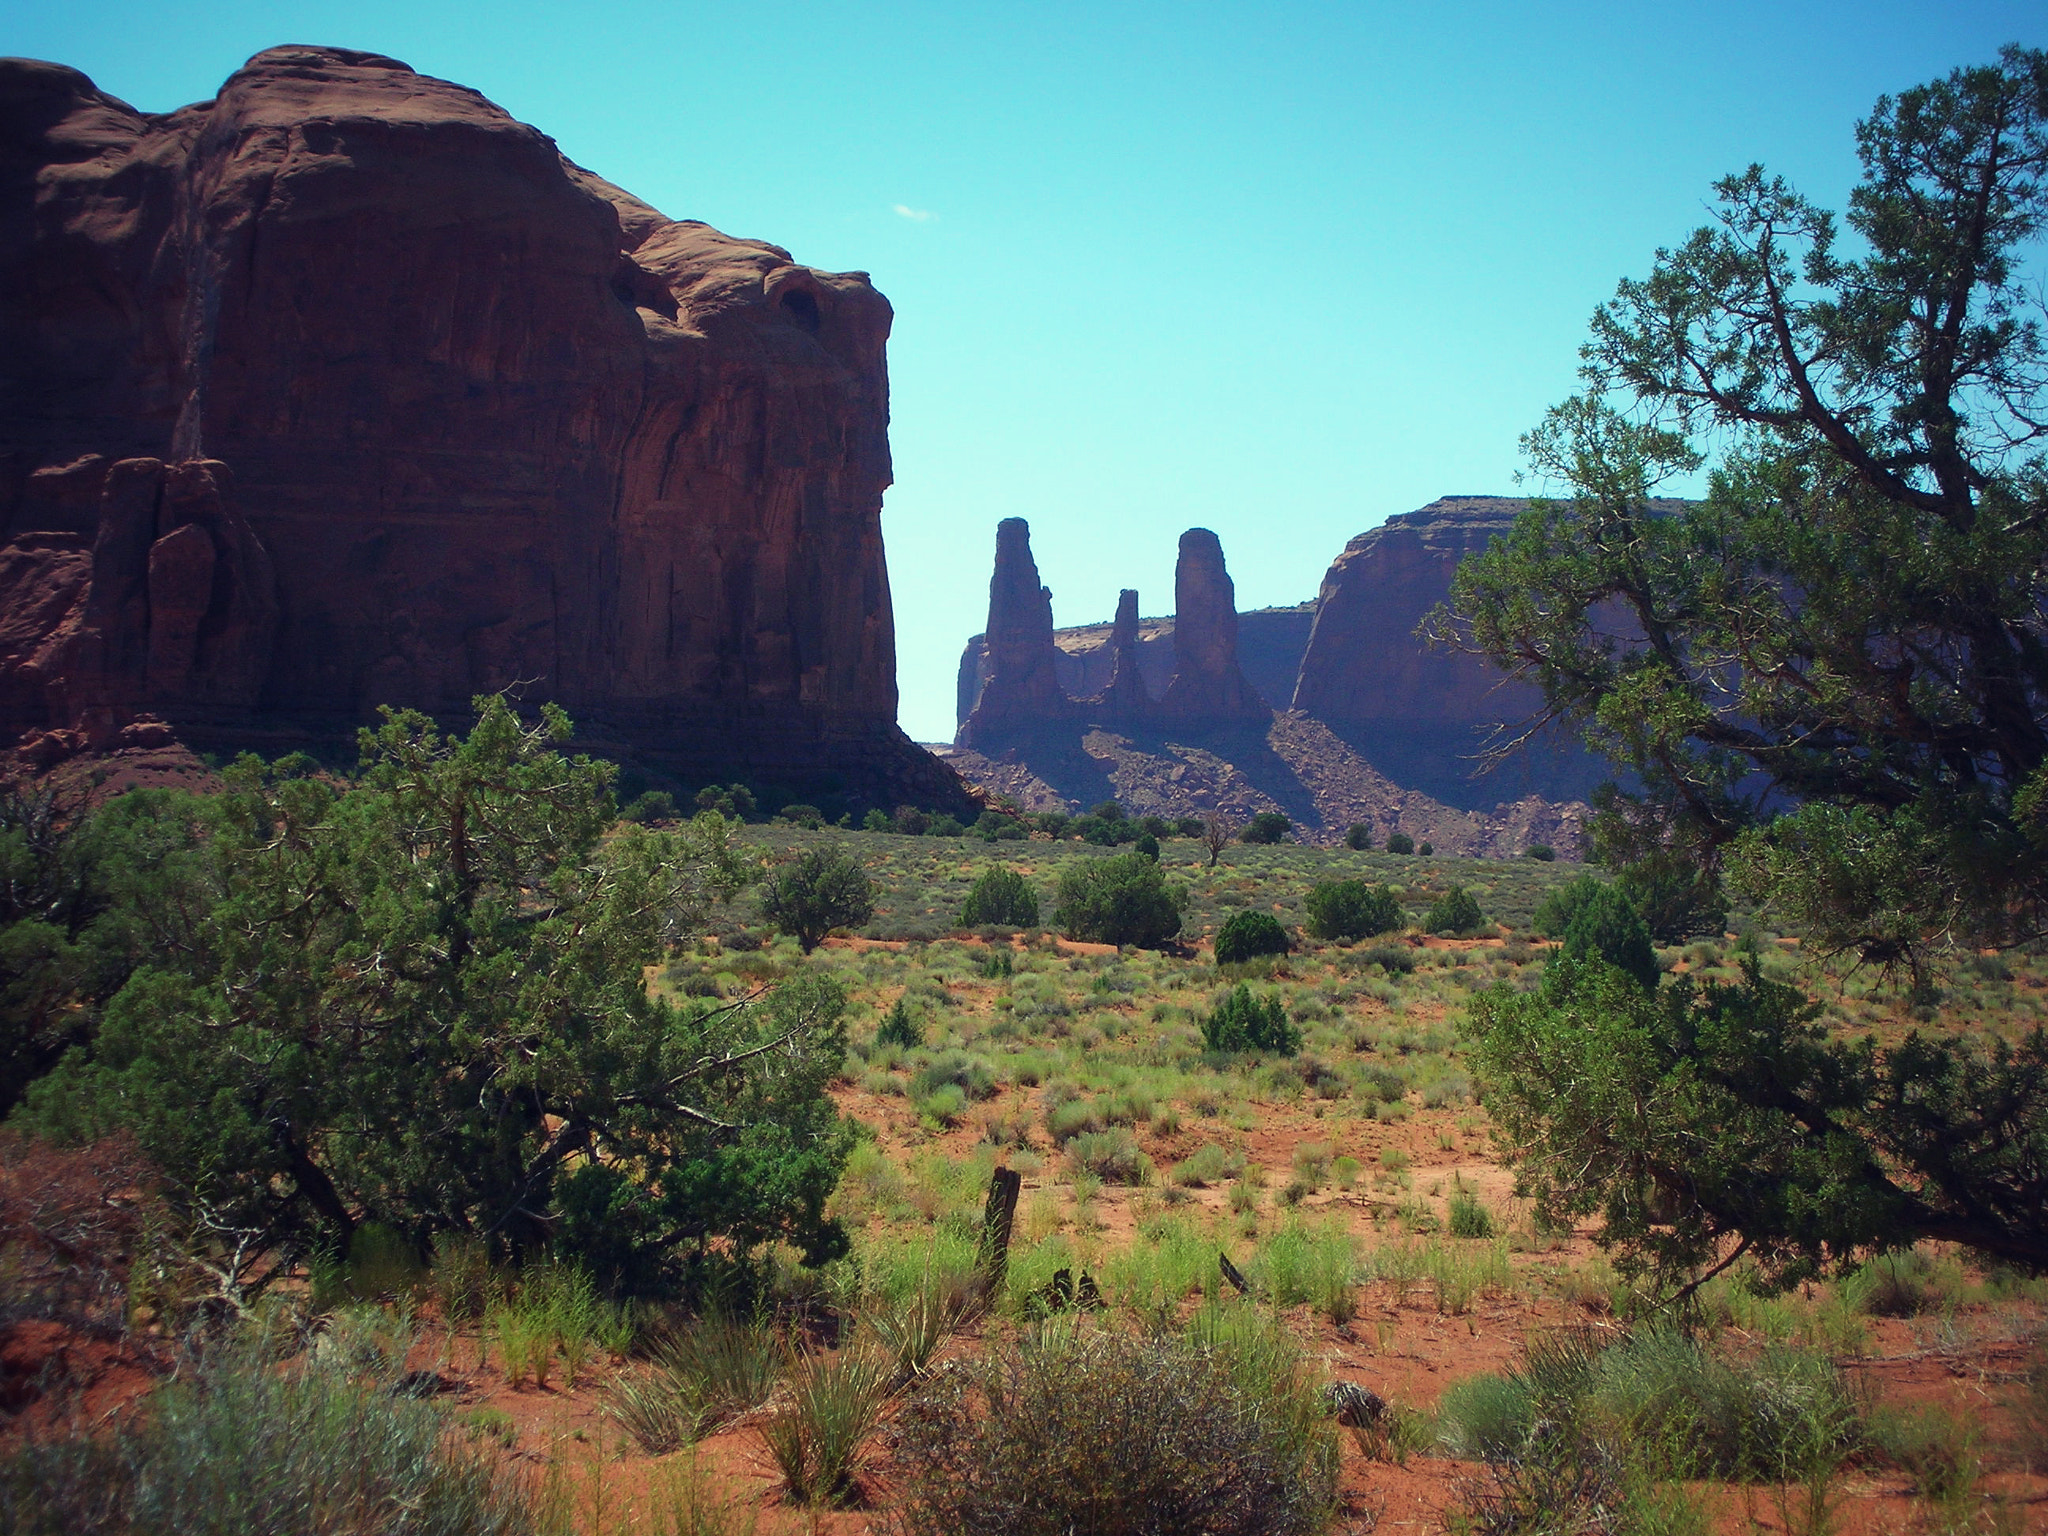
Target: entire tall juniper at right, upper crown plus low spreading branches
1826	677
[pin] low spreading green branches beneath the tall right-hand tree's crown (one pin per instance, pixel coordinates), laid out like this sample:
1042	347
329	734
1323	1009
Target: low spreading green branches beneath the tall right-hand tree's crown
1709	1123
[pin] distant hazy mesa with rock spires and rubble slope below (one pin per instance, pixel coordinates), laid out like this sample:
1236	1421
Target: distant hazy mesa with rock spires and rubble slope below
1373	724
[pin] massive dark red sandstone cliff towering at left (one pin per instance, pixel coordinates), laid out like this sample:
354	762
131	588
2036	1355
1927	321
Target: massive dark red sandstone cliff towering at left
488	419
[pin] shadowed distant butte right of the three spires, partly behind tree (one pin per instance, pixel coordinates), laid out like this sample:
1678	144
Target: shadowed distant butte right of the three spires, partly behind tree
1418	714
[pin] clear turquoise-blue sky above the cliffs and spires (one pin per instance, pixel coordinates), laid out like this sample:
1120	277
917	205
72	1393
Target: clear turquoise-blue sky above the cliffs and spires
1275	269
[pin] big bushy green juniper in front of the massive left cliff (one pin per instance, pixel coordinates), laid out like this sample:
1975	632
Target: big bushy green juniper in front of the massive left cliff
419	1000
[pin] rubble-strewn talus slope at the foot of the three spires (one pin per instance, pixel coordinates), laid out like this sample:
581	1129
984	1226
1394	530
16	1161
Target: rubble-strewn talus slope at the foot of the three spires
1295	765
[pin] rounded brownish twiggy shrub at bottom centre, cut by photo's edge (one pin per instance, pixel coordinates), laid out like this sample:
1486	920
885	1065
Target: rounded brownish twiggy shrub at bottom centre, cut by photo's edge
1111	1433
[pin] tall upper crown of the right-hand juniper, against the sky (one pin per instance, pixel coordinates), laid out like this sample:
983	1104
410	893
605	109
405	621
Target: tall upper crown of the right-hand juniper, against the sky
1830	675
